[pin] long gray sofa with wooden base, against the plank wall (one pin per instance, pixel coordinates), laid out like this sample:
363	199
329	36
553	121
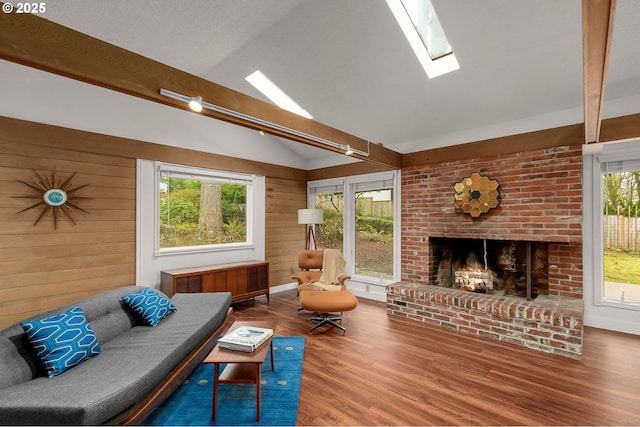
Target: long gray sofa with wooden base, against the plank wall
138	367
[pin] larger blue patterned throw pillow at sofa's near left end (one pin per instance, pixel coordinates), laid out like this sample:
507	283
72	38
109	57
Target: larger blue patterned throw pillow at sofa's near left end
62	341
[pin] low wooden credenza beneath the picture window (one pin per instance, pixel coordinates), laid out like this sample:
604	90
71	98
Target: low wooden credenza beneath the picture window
244	280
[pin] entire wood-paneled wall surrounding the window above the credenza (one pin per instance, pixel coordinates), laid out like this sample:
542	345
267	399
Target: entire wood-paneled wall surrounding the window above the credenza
43	268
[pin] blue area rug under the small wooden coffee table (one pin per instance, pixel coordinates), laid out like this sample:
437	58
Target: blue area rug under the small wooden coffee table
190	405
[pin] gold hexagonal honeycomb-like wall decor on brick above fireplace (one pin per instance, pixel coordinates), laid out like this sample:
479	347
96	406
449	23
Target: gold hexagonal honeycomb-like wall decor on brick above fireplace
476	194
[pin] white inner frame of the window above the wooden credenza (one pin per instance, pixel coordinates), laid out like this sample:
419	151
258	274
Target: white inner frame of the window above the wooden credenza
203	174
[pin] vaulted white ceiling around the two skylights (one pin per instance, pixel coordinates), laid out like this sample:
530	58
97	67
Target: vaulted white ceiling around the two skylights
347	62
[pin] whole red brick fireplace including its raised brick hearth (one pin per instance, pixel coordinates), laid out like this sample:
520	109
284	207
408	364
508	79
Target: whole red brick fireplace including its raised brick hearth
540	211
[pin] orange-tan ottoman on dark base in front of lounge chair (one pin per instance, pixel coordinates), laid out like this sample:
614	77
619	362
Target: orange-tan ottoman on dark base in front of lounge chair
325	302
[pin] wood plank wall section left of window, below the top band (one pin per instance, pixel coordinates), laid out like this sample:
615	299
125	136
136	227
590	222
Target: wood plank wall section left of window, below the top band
42	267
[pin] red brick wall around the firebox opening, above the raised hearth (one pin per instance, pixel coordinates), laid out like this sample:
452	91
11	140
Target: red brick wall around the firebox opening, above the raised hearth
540	200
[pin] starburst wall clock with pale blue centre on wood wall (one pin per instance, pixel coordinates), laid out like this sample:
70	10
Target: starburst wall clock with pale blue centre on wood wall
55	197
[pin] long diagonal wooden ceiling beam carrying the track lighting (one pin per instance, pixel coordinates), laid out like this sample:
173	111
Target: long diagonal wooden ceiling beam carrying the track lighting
39	43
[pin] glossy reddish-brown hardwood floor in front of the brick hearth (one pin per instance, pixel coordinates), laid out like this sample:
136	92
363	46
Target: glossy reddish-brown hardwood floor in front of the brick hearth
391	371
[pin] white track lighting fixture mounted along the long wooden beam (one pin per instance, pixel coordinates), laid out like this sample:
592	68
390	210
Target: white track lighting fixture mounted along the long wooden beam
196	101
